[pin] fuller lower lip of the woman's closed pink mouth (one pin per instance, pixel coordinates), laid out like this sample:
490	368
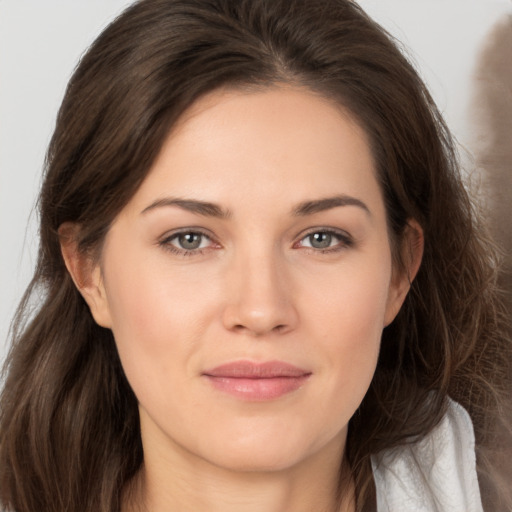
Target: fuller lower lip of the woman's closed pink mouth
257	389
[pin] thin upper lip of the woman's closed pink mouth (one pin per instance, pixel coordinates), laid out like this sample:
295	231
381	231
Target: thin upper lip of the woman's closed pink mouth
256	370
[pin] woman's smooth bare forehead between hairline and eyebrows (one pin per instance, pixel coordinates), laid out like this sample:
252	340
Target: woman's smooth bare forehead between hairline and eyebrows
274	144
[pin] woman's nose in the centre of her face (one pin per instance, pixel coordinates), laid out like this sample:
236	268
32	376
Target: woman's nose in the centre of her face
260	297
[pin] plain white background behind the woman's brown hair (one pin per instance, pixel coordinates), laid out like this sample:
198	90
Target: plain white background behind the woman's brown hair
42	40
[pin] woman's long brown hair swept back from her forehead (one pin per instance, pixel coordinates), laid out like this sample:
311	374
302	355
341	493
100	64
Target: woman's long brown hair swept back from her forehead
69	427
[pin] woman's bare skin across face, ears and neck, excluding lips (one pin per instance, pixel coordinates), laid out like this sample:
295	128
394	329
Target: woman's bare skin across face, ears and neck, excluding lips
257	289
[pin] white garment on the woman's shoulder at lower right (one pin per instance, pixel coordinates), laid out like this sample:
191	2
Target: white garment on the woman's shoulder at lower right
437	474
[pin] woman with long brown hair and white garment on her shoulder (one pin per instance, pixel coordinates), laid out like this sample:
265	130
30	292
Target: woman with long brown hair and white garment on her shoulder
262	278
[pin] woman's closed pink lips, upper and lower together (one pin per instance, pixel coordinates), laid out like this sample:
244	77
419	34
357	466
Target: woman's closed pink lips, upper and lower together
255	381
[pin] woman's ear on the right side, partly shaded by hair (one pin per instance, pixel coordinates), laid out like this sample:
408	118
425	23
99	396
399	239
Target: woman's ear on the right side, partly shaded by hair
402	278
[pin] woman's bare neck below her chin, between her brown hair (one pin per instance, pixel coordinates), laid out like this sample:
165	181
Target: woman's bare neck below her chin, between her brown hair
197	486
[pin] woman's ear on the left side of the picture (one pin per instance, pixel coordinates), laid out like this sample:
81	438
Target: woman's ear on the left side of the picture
85	272
